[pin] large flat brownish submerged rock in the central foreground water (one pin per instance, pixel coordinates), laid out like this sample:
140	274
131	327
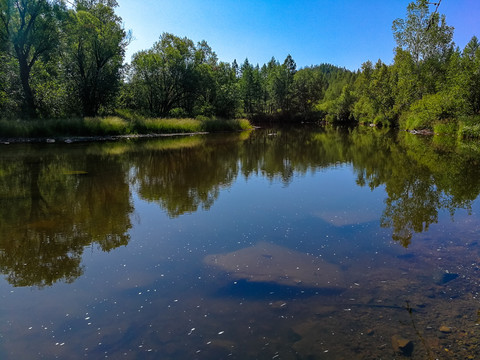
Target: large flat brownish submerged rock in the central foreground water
266	262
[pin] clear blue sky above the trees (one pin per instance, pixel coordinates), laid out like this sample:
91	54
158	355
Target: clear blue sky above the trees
342	33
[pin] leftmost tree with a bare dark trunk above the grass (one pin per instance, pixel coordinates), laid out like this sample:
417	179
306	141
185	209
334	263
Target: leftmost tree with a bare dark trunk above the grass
29	32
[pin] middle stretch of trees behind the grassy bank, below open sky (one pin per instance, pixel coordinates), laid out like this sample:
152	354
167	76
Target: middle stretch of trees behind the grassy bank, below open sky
176	78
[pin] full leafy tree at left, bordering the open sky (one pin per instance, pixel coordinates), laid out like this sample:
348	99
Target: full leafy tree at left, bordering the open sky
96	48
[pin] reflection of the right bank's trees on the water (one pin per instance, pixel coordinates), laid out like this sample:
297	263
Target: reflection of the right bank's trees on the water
420	180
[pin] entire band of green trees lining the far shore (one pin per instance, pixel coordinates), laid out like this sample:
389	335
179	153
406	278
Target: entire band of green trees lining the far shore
67	59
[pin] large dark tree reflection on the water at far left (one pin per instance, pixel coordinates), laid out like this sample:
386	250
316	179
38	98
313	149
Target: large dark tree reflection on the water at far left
50	212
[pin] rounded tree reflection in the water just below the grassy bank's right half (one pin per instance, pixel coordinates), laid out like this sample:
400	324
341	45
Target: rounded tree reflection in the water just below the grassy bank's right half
183	179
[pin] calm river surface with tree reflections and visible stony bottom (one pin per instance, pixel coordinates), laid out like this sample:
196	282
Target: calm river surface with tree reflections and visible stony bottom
275	244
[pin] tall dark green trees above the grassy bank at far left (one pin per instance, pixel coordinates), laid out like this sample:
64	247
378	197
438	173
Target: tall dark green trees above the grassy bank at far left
59	60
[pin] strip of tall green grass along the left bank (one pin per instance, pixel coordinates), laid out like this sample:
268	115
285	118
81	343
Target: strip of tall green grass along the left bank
121	124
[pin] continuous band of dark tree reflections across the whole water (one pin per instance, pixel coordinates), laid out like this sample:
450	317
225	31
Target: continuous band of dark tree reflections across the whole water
57	200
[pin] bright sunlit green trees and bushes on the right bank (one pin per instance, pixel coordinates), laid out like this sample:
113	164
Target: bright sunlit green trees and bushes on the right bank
431	84
